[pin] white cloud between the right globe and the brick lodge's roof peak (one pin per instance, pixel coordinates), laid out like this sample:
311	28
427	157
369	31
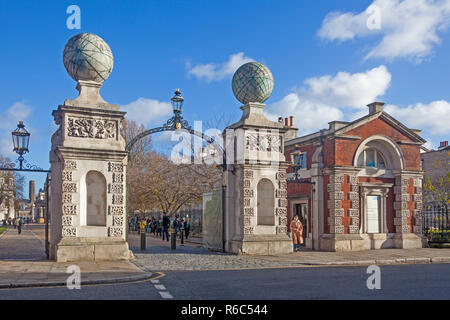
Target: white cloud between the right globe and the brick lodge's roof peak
320	99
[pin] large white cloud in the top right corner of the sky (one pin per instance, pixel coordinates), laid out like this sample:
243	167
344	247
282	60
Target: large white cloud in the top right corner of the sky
408	28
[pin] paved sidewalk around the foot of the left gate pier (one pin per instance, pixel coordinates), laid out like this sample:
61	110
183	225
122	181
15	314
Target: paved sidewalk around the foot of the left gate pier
23	264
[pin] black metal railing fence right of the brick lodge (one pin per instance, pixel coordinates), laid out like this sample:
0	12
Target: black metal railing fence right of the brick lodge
436	223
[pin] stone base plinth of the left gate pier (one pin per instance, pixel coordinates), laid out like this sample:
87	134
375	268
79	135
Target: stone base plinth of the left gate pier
92	249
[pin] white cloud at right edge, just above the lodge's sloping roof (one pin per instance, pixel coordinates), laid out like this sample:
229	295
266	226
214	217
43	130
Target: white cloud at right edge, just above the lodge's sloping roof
433	117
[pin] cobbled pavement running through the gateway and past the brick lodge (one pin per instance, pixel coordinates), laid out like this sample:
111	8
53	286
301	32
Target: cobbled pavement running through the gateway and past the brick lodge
192	256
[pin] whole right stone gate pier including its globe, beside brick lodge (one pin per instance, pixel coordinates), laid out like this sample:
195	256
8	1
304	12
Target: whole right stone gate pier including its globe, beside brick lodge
255	201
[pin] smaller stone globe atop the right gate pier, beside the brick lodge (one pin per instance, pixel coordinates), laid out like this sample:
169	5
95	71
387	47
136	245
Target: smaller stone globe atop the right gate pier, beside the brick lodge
252	82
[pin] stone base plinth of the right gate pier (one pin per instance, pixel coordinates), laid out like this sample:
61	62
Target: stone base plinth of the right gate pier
261	245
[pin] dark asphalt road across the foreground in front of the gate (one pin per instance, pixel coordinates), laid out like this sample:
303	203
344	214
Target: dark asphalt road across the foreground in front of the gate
428	281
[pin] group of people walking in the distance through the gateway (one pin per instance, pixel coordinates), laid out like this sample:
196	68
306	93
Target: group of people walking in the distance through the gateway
160	228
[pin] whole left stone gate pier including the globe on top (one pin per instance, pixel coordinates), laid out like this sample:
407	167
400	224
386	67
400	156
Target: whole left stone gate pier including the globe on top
88	163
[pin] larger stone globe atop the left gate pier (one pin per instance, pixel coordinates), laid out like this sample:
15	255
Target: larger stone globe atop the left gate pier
88	57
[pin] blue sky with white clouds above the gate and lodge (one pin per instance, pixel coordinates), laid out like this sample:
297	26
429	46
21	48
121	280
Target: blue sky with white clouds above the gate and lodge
326	62
